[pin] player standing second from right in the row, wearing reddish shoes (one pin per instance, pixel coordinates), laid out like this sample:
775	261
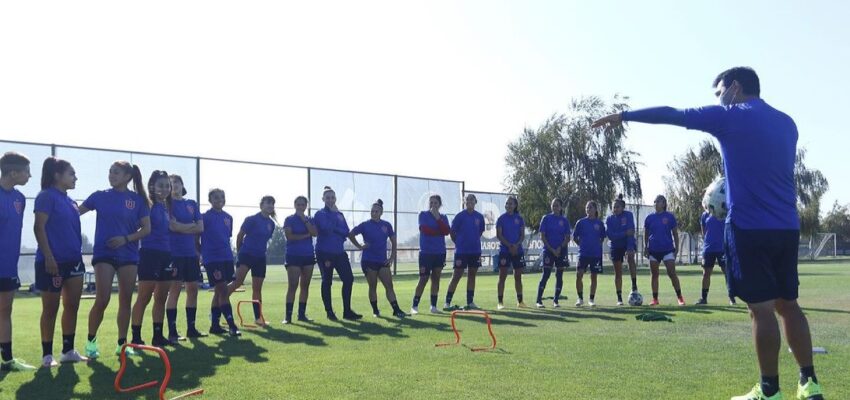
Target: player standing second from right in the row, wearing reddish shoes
661	244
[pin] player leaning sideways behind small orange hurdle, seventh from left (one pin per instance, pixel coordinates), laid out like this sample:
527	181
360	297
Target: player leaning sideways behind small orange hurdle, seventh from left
251	243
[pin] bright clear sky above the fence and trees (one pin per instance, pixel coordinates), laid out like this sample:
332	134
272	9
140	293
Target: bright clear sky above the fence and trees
427	88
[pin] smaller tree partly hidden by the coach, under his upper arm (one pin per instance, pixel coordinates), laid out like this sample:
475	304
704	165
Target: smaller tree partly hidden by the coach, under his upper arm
690	174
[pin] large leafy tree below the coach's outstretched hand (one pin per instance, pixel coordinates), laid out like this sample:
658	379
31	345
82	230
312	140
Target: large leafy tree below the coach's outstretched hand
565	158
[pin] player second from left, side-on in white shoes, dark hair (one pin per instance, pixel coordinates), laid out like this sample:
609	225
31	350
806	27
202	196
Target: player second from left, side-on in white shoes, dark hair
59	264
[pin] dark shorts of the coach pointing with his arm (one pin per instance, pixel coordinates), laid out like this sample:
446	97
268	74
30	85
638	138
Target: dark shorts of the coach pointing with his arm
762	263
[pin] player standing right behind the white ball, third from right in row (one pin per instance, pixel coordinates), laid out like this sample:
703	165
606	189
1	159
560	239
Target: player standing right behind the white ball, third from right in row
620	228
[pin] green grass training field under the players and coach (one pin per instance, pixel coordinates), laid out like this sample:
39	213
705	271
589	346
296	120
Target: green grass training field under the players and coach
570	353
